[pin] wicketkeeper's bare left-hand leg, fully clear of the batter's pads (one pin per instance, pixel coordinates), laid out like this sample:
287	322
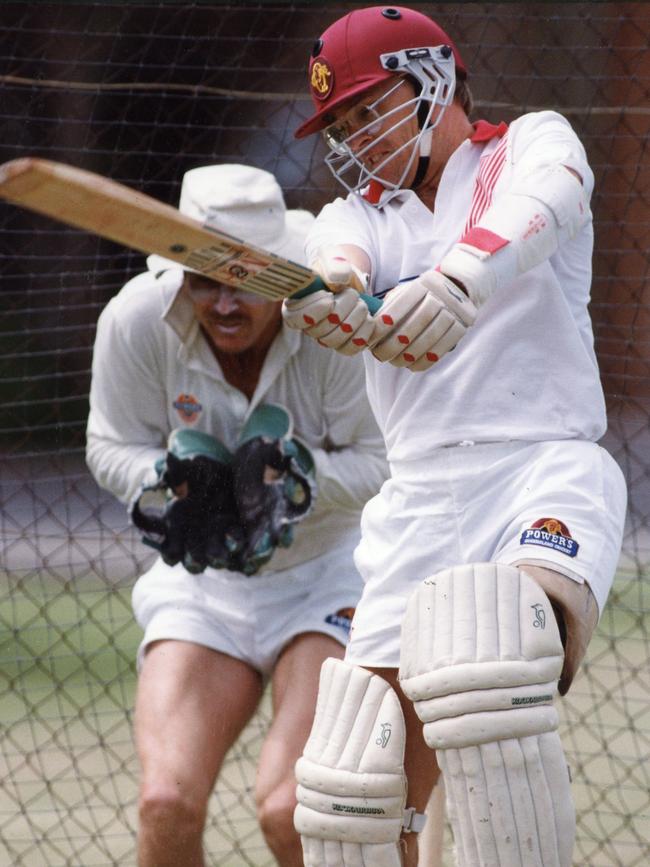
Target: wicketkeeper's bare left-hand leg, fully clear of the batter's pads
191	705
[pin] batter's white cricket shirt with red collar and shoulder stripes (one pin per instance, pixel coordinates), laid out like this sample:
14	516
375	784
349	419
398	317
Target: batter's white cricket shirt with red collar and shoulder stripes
526	370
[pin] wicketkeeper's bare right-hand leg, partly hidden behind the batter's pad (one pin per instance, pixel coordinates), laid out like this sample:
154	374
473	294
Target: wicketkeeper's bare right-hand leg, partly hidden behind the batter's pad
295	686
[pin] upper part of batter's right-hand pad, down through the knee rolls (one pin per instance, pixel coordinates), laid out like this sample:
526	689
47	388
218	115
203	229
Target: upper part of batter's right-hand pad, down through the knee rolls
489	674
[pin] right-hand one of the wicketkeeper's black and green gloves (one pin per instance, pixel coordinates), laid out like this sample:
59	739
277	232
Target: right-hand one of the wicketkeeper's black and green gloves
274	485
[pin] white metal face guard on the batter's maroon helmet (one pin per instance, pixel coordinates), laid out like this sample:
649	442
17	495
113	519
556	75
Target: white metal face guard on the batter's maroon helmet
433	69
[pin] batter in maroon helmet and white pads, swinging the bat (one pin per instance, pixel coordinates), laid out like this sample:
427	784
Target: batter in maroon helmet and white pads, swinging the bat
489	554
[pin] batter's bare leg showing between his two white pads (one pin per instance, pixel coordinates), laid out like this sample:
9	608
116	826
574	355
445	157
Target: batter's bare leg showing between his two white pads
420	766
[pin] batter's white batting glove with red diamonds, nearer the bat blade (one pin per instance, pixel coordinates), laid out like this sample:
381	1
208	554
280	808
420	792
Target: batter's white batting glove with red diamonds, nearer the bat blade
338	319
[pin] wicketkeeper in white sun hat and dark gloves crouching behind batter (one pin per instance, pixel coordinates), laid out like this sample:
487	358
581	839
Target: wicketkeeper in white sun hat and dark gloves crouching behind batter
245	453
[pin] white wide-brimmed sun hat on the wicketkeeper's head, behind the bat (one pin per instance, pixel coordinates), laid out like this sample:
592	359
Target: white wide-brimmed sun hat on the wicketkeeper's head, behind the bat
246	203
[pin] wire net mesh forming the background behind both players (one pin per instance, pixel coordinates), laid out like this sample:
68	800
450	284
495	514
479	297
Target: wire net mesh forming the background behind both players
142	92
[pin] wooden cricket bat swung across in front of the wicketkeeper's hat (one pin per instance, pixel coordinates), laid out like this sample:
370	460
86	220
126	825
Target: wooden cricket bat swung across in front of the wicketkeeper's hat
112	210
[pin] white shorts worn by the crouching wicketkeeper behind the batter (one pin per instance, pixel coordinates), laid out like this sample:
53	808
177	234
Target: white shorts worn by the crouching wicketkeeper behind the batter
254	618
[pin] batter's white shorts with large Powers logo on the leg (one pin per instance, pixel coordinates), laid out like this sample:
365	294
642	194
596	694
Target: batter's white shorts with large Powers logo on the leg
558	504
